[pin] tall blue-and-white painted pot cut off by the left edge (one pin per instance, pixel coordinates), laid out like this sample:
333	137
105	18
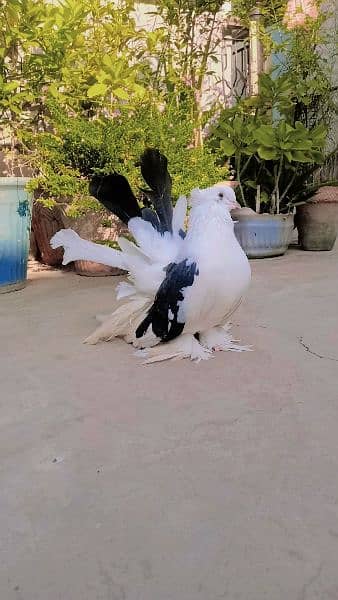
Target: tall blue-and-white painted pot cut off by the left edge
15	223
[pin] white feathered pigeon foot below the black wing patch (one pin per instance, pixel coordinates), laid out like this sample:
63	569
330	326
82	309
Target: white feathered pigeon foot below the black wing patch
184	346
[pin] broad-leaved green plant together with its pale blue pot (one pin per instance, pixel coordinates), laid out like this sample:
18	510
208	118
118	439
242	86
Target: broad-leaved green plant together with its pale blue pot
273	157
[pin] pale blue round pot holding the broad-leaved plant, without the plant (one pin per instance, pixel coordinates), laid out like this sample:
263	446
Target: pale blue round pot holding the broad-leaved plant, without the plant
262	236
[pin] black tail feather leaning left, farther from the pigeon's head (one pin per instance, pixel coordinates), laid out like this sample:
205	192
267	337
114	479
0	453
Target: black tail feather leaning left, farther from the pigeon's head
114	192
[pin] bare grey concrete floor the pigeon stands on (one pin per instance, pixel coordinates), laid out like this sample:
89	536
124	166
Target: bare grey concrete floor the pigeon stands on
174	481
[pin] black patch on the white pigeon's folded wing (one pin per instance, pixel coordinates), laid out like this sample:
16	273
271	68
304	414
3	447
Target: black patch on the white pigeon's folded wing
164	311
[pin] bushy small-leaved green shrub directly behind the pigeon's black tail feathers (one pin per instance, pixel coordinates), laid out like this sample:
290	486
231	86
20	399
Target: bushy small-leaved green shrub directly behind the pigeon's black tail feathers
79	147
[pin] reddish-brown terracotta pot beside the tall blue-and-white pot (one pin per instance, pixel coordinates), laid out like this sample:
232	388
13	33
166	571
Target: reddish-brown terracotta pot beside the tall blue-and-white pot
46	222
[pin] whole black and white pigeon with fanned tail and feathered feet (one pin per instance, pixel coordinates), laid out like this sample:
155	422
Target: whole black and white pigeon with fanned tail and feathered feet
184	282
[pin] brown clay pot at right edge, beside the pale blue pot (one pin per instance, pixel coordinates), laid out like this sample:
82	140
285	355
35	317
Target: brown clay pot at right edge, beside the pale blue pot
317	220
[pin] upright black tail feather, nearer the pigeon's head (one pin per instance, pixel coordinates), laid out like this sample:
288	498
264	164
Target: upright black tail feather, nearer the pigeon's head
155	173
